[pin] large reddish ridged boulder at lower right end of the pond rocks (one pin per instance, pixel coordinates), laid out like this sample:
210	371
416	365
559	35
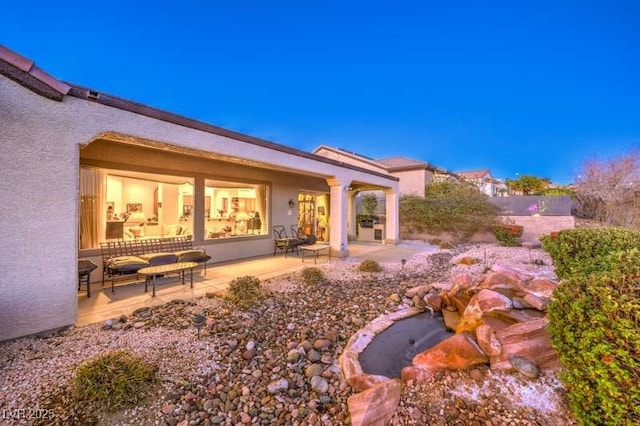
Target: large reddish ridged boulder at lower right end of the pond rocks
530	340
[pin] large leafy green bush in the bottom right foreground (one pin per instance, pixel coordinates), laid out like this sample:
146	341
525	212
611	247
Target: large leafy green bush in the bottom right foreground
593	321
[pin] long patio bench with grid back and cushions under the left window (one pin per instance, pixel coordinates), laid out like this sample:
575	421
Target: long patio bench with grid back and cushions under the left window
125	258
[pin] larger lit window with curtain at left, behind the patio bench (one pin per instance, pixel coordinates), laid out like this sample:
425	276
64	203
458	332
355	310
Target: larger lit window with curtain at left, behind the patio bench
118	204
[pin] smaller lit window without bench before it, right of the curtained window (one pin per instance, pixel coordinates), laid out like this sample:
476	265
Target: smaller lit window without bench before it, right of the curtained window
234	209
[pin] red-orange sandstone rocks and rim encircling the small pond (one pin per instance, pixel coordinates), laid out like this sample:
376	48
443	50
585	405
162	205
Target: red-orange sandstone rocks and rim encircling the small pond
494	318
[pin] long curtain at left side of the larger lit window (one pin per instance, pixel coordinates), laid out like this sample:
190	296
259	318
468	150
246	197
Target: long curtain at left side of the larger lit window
92	207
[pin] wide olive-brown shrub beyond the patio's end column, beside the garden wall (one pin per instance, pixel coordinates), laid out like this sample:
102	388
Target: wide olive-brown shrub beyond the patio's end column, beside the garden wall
456	208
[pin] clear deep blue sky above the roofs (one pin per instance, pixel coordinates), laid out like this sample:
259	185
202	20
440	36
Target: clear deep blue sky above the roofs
516	87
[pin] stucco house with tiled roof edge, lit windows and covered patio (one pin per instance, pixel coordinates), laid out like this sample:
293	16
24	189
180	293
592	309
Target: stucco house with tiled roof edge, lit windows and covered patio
80	167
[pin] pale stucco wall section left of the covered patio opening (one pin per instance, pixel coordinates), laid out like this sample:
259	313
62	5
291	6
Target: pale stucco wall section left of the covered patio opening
38	160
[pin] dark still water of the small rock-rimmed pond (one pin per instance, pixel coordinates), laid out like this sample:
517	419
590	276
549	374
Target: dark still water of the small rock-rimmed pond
393	349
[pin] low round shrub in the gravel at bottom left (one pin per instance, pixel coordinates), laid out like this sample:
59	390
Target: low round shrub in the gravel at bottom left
115	380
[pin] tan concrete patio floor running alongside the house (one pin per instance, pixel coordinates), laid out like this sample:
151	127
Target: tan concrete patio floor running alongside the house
130	296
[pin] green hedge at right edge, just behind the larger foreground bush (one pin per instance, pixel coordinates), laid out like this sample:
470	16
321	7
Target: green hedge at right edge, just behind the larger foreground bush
586	250
